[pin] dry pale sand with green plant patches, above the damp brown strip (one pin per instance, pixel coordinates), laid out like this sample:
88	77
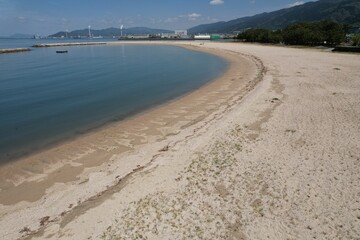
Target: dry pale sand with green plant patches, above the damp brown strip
281	163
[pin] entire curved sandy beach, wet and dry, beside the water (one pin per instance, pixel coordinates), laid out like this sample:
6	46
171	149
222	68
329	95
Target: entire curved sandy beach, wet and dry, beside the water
268	151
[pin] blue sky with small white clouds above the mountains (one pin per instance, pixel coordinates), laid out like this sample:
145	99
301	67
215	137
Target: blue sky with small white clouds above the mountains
49	16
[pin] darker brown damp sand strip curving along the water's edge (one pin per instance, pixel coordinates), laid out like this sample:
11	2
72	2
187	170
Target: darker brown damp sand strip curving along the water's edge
72	162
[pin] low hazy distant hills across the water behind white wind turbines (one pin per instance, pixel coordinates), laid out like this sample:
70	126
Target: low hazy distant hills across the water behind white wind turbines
109	32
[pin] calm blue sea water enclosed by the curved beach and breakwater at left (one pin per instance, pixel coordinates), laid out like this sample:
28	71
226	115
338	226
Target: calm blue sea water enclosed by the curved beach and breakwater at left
47	97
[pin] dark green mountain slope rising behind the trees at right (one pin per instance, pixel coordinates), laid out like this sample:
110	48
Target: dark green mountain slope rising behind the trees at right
342	11
